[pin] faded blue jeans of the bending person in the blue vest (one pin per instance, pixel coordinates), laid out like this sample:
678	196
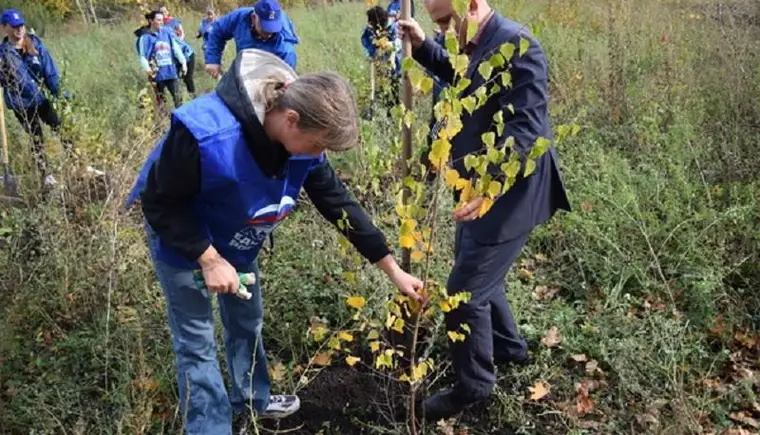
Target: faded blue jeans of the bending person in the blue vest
203	399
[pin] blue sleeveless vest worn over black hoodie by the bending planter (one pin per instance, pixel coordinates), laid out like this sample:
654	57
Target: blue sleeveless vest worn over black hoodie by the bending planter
238	205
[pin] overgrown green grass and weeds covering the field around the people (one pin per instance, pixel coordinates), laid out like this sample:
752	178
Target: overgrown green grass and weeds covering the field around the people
655	270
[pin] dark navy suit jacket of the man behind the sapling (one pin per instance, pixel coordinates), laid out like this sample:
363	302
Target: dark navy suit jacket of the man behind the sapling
532	200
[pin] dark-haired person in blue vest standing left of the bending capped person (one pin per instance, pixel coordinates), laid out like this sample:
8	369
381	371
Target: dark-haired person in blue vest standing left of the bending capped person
160	52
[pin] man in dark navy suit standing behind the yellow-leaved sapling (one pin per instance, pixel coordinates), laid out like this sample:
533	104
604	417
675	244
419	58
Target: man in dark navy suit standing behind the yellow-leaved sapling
486	247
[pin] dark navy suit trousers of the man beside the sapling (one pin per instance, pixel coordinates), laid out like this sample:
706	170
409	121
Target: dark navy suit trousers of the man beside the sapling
480	269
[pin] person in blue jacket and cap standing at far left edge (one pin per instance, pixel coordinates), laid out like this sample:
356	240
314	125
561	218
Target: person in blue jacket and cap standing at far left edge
27	74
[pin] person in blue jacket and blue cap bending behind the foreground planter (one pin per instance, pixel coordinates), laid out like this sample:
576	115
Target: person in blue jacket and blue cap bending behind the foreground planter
264	26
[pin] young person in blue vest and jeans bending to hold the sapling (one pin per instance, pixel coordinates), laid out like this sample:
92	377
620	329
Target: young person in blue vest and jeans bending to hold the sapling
226	174
